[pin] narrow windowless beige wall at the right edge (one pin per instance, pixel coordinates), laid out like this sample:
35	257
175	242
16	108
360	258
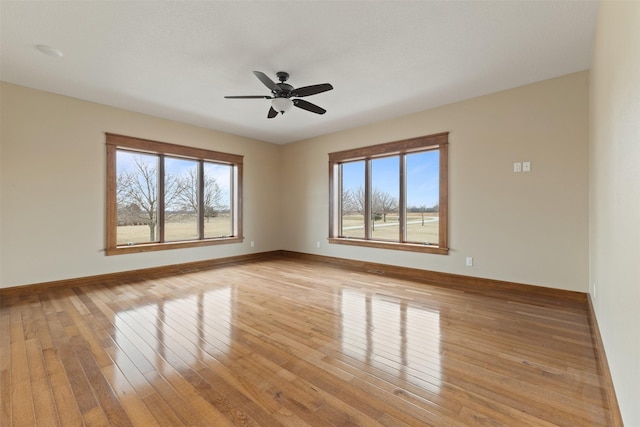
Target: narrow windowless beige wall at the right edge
615	196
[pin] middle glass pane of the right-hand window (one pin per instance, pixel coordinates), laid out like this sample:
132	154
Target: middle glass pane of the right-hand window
385	191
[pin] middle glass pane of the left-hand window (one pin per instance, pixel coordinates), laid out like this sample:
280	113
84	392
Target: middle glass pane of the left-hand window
180	199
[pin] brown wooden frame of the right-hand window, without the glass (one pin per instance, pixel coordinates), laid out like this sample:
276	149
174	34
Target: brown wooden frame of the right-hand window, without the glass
438	142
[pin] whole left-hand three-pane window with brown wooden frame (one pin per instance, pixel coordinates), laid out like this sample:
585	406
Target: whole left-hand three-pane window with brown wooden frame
165	196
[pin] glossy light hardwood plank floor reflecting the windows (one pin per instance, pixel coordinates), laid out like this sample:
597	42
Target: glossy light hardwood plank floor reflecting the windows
293	342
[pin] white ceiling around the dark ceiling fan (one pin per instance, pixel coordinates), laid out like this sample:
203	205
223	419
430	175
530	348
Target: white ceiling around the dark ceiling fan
177	60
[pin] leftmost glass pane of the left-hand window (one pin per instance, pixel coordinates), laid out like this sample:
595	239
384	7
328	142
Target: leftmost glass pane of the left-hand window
136	197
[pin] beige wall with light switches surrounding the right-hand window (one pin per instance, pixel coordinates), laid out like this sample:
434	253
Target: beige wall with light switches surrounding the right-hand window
527	227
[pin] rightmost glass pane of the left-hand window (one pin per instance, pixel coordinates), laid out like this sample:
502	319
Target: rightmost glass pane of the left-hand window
217	200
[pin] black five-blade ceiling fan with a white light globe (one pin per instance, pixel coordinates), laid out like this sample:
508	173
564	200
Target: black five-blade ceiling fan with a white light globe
281	94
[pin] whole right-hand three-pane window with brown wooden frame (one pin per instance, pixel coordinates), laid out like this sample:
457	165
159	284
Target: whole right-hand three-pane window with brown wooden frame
391	196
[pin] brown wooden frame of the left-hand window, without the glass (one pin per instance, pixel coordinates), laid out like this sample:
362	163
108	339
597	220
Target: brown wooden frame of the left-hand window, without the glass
114	142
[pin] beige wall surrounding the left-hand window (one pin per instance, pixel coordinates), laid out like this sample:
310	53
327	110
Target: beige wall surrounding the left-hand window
53	187
